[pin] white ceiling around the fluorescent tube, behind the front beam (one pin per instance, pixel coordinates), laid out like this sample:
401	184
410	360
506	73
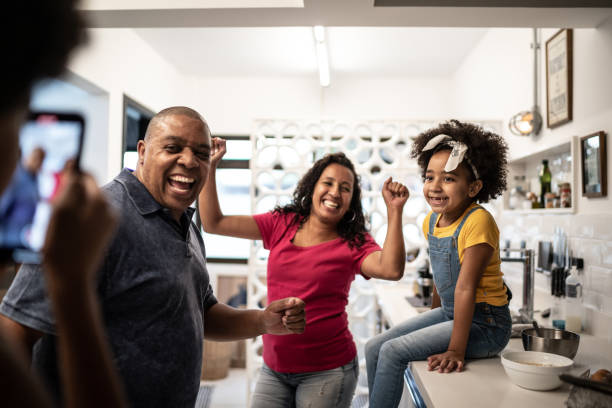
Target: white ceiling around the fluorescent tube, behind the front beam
289	51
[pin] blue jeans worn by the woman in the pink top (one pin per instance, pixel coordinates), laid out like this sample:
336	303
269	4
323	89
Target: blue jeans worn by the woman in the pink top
319	389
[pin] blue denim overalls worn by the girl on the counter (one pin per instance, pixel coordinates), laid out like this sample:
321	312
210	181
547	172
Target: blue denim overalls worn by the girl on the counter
389	353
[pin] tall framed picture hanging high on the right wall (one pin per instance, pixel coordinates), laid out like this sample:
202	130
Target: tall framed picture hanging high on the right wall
559	78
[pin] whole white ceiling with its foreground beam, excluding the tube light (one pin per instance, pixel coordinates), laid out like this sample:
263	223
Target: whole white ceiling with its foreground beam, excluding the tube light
274	37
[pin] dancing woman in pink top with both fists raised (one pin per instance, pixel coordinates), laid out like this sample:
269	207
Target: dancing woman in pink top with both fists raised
317	243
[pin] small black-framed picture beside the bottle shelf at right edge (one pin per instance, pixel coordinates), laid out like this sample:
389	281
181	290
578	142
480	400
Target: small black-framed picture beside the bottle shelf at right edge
593	158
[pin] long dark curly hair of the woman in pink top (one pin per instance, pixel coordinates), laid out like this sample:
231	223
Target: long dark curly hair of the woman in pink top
351	227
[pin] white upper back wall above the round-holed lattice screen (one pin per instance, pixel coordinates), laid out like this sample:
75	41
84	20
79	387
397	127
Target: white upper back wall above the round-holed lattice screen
231	104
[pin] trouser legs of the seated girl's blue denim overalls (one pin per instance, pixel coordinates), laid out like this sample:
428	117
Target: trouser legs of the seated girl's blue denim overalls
388	354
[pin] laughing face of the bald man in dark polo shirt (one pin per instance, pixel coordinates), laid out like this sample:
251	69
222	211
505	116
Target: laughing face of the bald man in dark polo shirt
174	160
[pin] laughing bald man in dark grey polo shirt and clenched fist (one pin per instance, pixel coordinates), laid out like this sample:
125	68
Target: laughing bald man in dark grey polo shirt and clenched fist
154	288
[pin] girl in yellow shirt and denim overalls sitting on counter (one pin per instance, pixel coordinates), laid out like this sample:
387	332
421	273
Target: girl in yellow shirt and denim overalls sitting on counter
462	165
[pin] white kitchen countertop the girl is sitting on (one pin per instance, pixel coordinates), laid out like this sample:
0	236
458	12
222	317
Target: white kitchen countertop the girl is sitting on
484	382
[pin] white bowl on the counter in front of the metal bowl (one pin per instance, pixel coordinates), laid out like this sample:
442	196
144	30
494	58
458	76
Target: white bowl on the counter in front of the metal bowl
535	370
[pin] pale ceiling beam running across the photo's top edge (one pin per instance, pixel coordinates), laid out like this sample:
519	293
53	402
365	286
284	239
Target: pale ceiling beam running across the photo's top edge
339	13
